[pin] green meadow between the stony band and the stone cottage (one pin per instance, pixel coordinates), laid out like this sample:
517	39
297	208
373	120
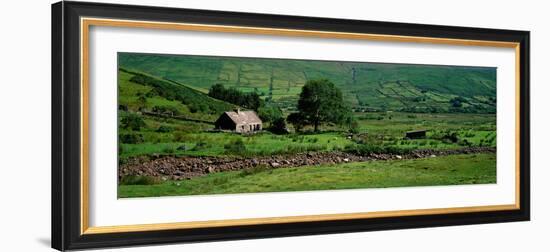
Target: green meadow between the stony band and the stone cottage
190	138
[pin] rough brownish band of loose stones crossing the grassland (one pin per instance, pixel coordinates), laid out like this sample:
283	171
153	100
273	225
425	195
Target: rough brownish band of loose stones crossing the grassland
178	168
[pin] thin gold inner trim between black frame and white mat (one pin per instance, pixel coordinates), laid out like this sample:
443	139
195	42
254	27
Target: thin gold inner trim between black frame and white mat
85	24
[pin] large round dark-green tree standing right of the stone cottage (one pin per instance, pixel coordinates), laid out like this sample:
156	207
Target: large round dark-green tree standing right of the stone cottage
321	102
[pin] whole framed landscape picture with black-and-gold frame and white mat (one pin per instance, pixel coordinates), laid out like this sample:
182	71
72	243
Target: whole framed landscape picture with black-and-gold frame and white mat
185	125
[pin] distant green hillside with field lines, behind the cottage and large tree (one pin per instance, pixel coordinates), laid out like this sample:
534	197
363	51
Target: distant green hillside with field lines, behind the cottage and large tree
366	86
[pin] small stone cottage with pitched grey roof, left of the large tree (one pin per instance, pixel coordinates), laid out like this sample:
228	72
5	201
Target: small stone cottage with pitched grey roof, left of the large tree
239	121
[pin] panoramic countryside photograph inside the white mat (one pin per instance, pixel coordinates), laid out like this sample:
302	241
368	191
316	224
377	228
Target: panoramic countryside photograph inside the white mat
195	124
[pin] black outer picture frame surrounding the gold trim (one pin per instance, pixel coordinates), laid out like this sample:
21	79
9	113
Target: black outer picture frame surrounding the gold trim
66	114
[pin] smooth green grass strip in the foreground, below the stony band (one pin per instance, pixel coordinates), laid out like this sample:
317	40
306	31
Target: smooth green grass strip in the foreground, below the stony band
447	170
